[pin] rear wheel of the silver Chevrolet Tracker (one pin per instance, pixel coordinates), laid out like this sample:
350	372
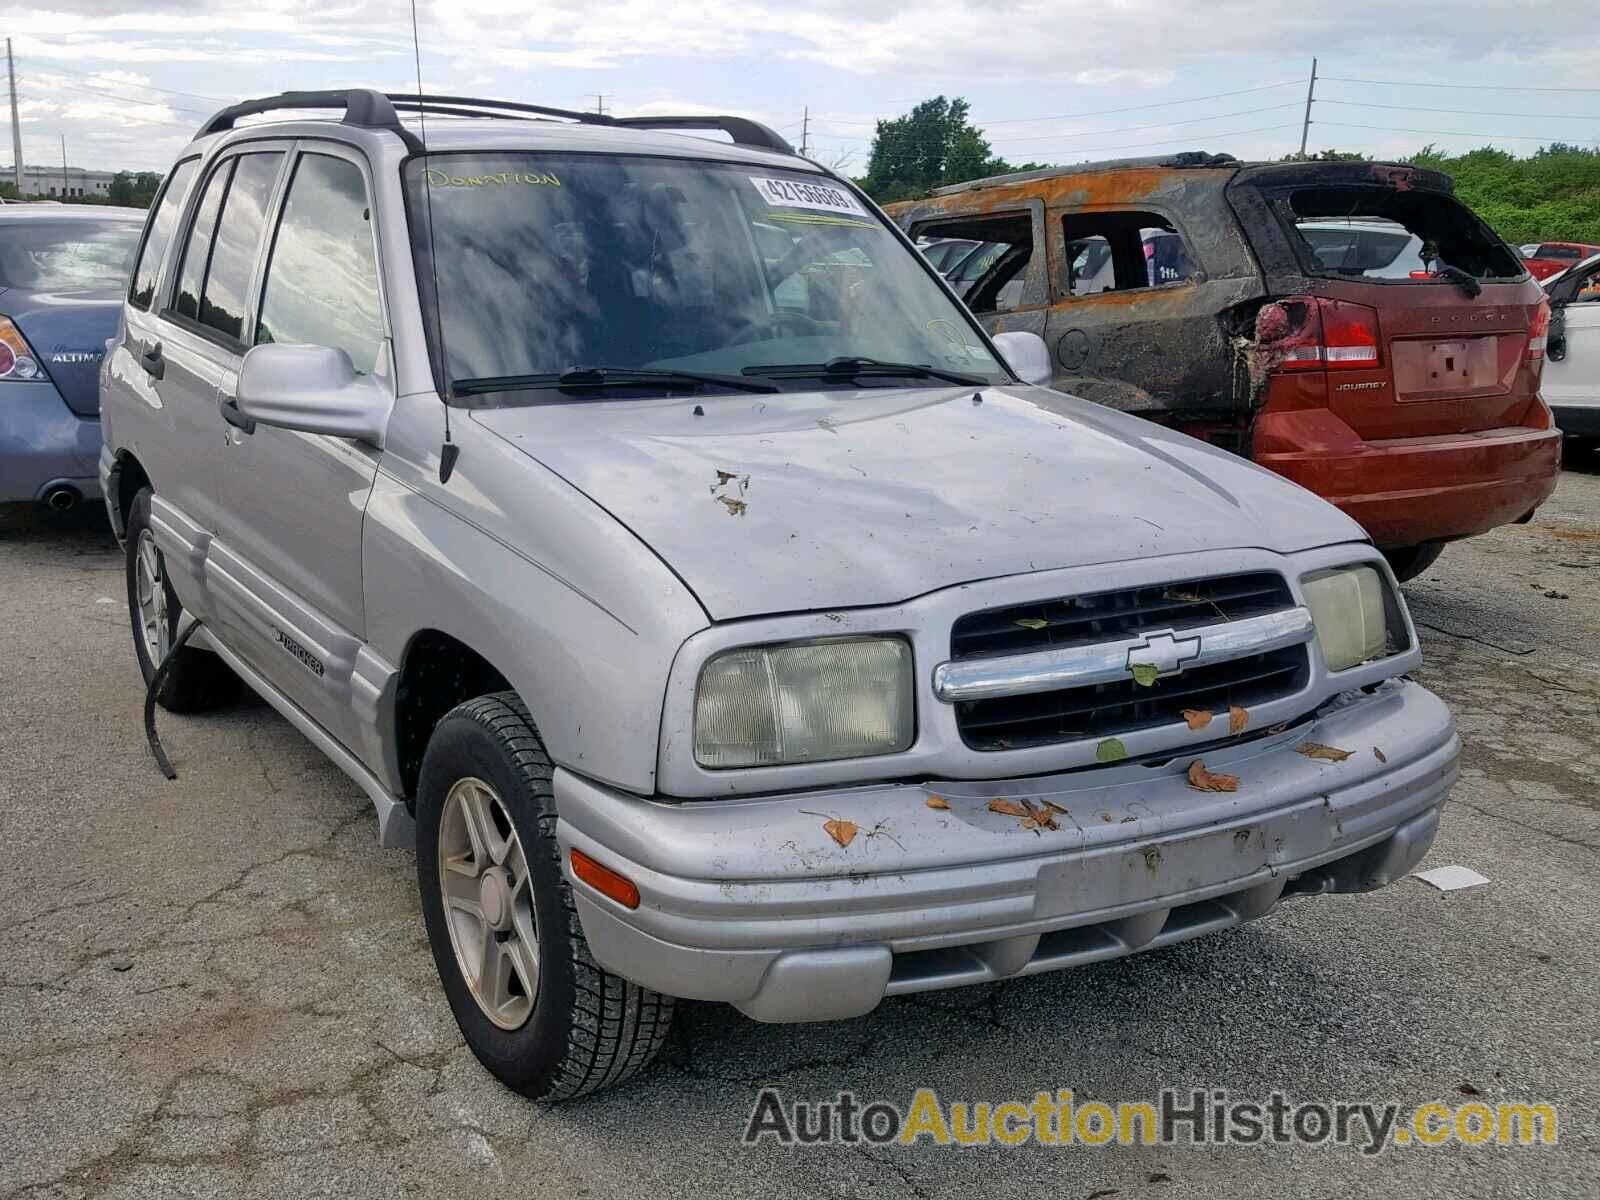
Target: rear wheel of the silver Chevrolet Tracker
198	681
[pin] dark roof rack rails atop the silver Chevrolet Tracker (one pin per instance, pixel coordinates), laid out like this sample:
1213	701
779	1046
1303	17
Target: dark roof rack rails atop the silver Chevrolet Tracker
378	111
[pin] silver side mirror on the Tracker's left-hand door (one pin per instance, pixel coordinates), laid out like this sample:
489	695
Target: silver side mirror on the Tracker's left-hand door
313	390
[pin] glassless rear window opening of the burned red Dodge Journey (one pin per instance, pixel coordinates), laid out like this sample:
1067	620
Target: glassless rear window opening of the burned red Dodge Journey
1393	234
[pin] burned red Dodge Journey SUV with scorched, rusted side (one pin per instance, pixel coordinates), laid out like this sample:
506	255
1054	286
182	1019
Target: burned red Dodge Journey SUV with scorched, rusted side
1350	326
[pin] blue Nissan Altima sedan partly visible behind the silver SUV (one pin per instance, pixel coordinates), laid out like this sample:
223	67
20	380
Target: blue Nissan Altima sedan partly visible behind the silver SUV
63	276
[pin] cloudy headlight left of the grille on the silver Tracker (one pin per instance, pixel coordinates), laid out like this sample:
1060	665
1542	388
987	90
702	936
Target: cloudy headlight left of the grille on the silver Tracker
804	703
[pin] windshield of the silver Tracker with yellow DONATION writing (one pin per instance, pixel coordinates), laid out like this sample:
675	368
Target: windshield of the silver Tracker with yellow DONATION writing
550	263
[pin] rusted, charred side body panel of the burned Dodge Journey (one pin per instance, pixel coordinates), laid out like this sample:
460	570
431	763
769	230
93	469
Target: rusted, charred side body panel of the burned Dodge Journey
1166	353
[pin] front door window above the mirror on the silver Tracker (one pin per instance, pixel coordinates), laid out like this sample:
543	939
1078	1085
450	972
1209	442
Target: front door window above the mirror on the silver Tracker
322	281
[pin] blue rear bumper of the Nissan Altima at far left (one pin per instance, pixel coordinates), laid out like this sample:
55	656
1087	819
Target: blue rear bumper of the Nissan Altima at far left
44	442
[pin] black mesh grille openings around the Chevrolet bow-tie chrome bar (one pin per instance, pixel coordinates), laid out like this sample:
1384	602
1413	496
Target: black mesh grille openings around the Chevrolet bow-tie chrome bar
1122	706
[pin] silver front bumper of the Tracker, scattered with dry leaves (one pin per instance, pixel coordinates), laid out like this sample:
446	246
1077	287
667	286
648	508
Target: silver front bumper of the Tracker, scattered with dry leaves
751	902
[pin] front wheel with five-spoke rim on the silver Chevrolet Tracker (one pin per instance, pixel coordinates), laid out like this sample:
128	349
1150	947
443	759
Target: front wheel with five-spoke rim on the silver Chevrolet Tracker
582	1028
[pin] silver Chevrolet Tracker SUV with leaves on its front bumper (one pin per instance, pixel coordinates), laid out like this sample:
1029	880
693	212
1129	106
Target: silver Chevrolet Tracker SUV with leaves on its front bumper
649	530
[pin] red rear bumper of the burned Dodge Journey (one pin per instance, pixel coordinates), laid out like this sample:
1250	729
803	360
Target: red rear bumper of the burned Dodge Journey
1406	492
